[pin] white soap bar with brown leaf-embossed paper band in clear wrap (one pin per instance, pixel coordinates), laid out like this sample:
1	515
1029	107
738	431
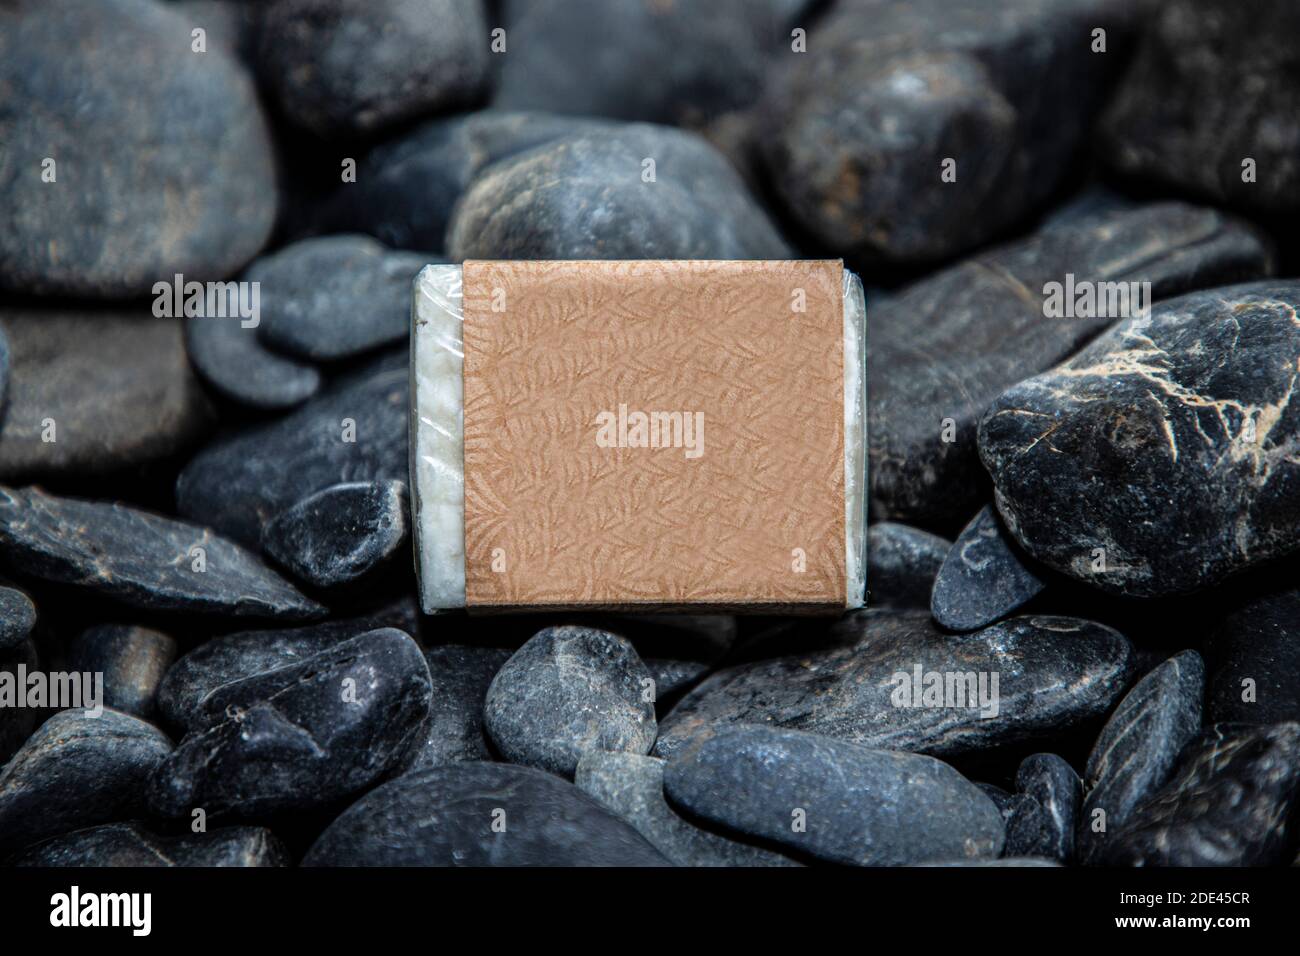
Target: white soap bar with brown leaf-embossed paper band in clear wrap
639	436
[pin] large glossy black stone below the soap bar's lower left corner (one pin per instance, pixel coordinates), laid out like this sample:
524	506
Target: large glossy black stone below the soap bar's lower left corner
301	737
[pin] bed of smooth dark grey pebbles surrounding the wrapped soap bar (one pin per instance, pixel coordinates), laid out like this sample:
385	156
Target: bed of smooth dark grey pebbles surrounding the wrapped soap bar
1102	513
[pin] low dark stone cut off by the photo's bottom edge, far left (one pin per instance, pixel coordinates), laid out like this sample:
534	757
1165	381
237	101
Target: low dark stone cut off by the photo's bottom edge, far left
132	845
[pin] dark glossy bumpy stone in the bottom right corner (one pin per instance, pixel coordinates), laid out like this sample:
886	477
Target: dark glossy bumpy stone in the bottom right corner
1227	806
